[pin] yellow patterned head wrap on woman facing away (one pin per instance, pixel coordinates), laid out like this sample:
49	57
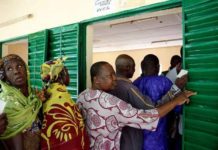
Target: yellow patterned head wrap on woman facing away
50	70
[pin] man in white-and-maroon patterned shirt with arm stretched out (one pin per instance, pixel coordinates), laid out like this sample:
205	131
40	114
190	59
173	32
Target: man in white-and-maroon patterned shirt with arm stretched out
105	115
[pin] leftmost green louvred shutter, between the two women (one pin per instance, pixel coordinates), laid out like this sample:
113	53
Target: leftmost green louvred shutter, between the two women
37	48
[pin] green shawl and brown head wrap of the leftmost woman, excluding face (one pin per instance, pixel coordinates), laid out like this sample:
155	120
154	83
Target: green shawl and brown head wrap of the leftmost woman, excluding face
21	110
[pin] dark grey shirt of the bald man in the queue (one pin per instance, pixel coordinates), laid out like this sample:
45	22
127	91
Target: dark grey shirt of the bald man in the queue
131	138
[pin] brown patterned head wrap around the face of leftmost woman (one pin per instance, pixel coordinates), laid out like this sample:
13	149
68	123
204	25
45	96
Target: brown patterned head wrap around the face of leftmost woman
6	60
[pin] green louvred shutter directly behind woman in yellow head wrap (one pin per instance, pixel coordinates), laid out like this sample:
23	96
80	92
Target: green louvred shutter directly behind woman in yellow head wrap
65	41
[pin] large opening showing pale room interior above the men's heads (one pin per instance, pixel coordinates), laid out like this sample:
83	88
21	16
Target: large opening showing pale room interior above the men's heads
158	33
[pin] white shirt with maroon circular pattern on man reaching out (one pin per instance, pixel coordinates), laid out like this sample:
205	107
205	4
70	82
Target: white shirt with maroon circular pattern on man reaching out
106	115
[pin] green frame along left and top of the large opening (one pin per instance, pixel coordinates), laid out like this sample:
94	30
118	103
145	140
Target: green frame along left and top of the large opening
127	13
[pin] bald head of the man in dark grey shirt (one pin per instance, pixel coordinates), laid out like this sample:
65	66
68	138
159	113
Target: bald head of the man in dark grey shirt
125	66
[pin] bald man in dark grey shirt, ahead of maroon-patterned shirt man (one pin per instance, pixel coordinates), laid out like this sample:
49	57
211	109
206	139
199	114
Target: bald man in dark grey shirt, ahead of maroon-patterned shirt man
132	138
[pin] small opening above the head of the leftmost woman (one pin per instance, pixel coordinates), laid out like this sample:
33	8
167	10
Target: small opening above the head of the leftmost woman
19	47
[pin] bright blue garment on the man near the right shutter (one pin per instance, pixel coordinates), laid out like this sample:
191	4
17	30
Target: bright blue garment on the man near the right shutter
155	87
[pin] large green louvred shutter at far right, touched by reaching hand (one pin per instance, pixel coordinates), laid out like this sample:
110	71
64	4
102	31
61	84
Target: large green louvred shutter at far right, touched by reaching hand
200	51
